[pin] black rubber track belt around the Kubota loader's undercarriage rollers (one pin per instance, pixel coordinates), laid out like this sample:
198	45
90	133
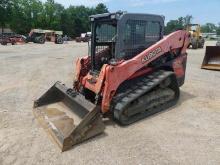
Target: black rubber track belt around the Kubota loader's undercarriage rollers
139	88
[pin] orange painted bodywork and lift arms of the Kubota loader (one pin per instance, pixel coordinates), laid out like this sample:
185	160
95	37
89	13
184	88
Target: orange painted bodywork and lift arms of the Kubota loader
110	77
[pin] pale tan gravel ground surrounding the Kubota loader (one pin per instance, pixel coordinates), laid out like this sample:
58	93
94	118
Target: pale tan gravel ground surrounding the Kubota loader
188	133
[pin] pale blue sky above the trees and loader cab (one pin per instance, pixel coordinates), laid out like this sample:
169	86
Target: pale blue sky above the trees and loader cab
203	11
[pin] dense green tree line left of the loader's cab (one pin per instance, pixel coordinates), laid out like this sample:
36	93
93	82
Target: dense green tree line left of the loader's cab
23	15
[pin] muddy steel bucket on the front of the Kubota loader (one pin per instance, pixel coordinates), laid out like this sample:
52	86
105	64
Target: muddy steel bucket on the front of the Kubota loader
65	127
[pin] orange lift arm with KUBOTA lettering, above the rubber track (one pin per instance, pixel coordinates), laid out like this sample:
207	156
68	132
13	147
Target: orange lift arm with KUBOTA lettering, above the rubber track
115	75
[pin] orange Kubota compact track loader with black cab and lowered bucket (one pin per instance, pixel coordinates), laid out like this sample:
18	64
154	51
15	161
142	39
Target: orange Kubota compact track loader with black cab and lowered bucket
132	72
